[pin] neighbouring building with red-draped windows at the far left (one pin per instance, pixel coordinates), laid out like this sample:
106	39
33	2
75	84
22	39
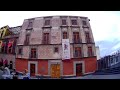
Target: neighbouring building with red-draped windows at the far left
8	40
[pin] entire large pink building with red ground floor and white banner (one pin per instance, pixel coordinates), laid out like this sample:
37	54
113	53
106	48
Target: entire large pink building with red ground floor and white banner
56	46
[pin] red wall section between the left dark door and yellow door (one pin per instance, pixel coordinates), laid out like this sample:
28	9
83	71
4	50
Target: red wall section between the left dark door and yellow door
43	64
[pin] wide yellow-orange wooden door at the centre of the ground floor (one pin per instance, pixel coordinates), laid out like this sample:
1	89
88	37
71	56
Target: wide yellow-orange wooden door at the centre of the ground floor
55	70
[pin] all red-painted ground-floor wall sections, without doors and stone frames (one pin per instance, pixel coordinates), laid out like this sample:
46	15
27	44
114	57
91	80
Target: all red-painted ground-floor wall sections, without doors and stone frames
90	65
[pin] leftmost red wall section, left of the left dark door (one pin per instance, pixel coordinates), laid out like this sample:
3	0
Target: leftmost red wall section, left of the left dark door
21	65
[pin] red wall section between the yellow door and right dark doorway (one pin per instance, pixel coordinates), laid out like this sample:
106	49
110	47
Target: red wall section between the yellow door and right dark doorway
67	67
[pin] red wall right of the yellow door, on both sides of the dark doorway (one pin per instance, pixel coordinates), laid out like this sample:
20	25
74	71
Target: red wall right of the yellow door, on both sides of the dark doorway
90	65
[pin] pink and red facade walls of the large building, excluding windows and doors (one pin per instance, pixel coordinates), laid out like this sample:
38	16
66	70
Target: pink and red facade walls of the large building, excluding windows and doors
45	55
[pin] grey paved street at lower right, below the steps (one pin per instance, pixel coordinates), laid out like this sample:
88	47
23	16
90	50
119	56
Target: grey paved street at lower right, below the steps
115	76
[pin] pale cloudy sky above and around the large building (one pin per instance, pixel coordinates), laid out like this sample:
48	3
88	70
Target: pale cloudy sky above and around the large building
105	24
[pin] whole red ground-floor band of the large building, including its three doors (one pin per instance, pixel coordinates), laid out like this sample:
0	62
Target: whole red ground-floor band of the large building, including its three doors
58	68
